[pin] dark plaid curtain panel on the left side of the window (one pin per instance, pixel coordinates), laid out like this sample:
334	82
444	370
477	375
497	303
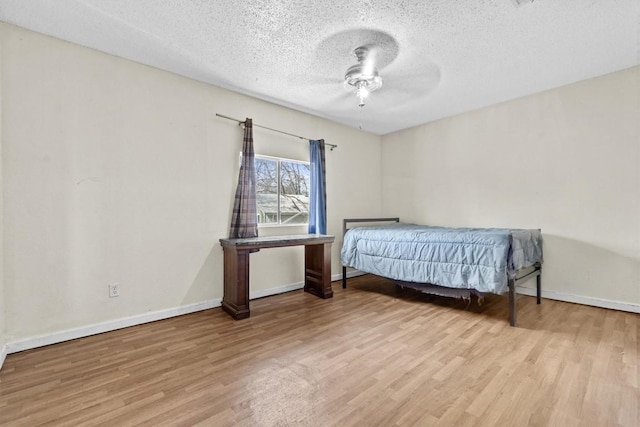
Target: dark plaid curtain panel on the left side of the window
244	221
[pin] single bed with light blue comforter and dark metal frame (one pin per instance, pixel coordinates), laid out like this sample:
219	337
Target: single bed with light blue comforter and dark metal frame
457	262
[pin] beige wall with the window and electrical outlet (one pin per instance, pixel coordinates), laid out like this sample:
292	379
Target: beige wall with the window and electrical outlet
118	172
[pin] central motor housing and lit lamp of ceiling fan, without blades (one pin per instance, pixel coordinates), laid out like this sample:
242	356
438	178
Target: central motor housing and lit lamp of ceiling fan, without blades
363	77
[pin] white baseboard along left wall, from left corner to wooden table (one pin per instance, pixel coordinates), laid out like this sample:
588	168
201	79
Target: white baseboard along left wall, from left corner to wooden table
111	325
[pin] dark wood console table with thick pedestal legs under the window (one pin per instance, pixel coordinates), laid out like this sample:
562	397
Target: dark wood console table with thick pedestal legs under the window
317	260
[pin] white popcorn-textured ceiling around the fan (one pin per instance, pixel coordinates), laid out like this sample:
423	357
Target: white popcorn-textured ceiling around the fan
437	58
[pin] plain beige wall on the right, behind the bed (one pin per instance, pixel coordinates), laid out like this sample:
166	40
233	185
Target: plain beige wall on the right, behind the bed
566	161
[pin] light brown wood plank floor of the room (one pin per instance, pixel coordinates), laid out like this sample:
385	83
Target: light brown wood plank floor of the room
372	355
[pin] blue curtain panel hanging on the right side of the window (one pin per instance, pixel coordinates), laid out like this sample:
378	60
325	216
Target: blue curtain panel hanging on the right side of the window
318	193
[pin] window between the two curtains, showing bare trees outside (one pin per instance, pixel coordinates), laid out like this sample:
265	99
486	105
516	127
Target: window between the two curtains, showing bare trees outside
282	191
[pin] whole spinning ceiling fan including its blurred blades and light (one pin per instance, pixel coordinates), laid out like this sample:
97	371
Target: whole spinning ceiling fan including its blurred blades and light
350	63
